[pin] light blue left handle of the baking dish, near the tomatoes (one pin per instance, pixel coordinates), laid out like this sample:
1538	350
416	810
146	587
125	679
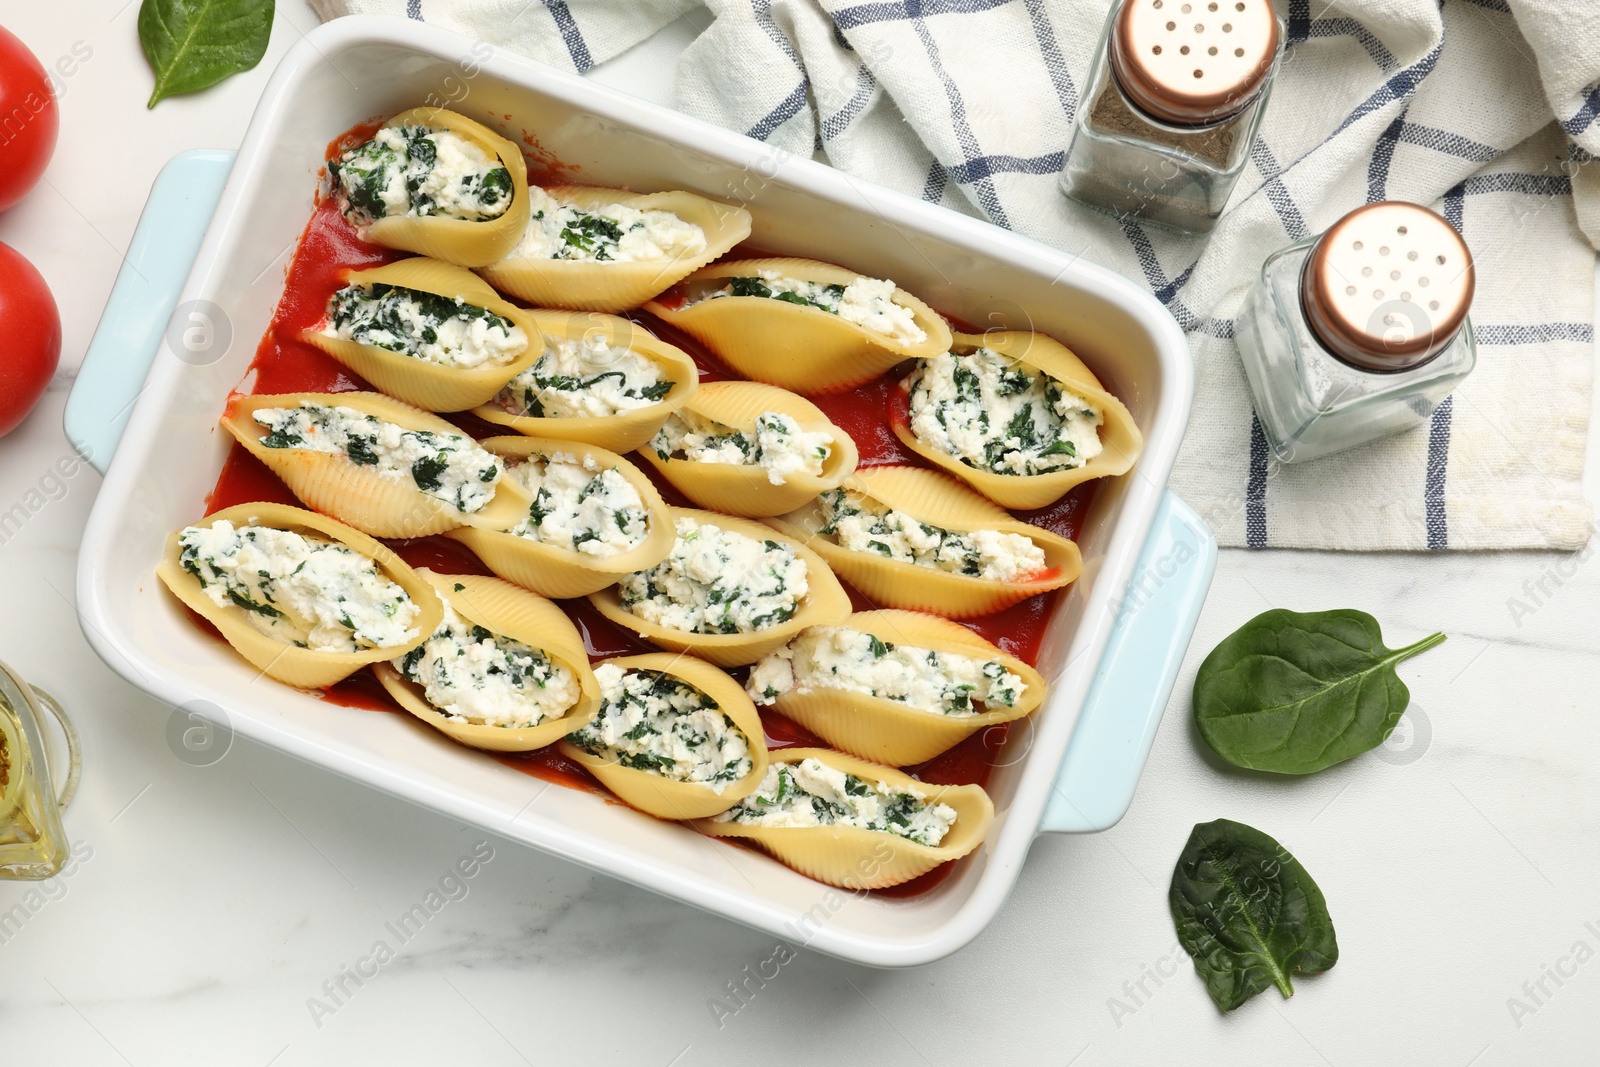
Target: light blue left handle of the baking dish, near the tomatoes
153	274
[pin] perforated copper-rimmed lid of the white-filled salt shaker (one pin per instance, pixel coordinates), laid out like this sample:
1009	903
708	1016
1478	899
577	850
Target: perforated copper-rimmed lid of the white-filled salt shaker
1388	287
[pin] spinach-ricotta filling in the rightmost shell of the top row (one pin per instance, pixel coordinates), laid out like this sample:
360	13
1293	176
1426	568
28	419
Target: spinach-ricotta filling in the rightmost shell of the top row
994	415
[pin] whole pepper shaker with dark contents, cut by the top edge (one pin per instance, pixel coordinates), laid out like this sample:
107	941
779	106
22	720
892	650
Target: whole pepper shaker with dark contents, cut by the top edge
1172	108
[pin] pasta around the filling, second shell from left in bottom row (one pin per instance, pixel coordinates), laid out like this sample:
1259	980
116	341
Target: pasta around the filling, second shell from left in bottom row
516	613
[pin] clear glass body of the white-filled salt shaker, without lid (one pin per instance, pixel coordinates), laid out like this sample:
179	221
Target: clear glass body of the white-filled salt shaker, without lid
1311	402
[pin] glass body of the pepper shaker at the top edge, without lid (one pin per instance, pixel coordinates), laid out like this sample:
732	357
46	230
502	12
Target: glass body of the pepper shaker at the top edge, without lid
1127	161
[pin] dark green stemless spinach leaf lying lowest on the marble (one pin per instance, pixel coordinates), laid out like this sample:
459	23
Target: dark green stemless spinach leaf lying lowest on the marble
1249	914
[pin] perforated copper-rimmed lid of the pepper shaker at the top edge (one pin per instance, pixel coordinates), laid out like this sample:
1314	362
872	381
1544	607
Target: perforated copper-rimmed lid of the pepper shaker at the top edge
1194	62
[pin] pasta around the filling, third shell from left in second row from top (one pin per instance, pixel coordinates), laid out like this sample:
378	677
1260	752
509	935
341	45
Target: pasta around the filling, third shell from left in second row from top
745	489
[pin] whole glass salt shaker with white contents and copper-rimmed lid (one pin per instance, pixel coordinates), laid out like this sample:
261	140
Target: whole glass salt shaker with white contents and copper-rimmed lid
1359	334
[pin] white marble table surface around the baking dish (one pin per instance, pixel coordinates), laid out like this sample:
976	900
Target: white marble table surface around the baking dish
215	901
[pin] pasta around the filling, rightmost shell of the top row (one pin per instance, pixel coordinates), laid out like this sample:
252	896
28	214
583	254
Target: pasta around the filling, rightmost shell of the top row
1121	438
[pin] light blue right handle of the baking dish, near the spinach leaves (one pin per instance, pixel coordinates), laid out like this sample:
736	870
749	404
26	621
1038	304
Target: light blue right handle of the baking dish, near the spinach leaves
1118	725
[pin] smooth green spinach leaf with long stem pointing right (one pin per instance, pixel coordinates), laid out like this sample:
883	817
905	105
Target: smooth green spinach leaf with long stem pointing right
1297	693
